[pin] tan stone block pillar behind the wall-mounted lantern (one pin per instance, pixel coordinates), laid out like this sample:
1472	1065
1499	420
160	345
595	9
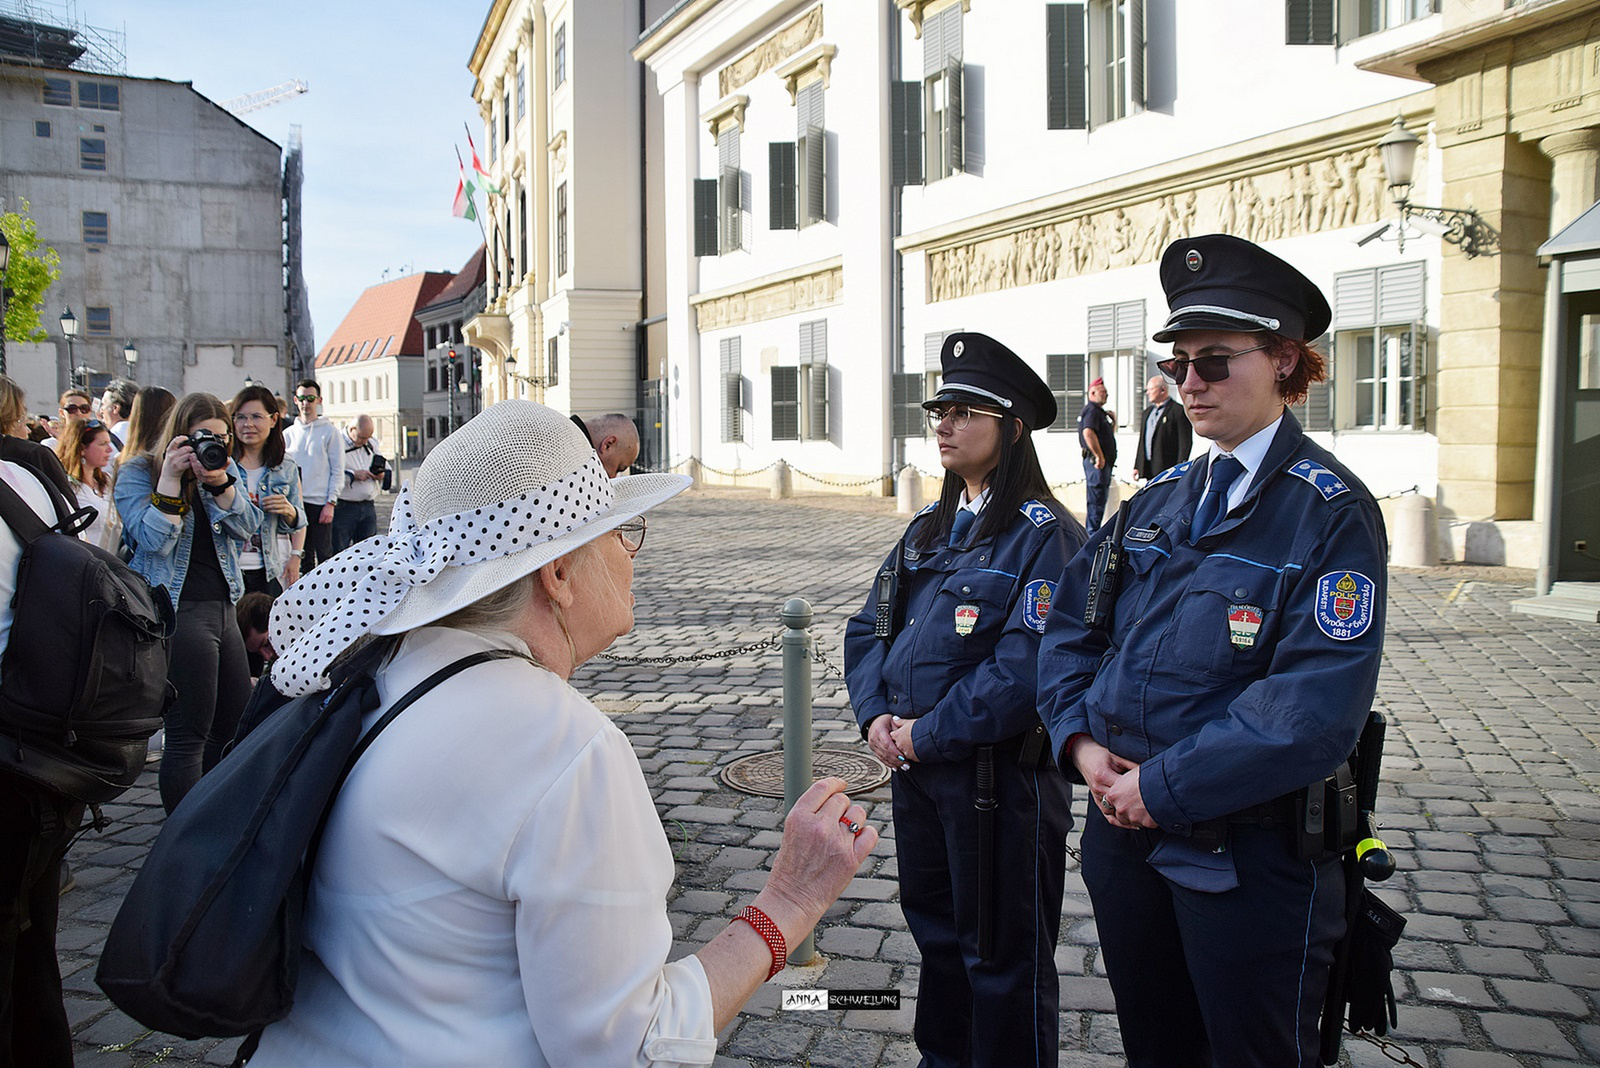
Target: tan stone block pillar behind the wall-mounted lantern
1492	319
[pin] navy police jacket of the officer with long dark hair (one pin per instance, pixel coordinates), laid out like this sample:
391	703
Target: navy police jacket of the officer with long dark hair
967	655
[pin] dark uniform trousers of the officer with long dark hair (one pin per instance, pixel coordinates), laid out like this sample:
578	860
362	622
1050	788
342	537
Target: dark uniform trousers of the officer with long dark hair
1001	1011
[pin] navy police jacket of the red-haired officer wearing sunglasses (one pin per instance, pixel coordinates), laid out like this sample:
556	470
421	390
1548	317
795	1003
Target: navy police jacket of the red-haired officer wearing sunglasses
1236	671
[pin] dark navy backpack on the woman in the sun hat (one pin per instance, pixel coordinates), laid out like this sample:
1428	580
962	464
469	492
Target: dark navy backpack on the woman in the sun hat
209	938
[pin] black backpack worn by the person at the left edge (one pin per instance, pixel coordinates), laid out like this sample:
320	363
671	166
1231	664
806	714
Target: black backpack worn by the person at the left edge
84	674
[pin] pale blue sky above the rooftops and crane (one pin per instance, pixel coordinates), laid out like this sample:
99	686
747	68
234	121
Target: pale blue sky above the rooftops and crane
390	92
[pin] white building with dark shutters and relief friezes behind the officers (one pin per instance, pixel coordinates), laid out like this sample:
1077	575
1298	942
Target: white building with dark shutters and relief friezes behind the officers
846	183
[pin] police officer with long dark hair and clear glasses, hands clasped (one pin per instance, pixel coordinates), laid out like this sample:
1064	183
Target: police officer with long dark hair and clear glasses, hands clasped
942	672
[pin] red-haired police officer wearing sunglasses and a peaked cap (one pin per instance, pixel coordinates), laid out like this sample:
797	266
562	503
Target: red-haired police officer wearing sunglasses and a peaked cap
1210	695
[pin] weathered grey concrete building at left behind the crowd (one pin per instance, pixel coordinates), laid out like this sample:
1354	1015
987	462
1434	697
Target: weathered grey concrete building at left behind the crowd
167	215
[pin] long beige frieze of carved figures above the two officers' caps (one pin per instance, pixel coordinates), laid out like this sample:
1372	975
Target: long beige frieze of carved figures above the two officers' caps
1338	191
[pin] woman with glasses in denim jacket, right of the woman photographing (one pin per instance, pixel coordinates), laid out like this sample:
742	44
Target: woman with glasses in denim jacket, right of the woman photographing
271	560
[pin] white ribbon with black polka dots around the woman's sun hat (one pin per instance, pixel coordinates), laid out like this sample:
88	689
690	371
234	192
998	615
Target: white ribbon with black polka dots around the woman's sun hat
351	596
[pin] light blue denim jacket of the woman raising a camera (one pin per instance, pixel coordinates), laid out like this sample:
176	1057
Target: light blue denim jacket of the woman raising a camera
162	551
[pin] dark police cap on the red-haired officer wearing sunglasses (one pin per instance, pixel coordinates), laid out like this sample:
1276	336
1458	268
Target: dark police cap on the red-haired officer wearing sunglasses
1223	282
